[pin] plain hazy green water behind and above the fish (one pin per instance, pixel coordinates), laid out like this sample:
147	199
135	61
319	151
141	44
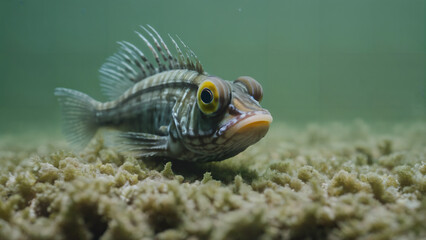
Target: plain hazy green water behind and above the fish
318	61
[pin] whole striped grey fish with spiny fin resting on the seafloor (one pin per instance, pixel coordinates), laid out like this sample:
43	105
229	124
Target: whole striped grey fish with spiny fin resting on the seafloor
166	105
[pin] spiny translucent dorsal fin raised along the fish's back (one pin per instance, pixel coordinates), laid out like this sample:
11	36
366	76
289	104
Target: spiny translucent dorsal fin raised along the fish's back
130	65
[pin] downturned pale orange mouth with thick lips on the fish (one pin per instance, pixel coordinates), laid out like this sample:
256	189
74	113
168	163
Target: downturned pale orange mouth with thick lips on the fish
248	123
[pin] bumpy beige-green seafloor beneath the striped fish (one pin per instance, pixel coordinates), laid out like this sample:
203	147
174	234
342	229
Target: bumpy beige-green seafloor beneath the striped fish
330	181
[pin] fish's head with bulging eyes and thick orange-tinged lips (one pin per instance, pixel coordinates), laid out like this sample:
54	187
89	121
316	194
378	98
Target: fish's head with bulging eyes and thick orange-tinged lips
232	111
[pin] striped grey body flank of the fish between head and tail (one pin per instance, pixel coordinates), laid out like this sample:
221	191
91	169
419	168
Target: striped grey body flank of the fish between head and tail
147	106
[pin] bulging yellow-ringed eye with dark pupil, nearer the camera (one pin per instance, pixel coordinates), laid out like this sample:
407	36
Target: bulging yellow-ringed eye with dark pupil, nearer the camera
212	94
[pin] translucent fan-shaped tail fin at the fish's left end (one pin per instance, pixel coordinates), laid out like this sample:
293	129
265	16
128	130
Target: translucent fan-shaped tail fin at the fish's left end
79	116
